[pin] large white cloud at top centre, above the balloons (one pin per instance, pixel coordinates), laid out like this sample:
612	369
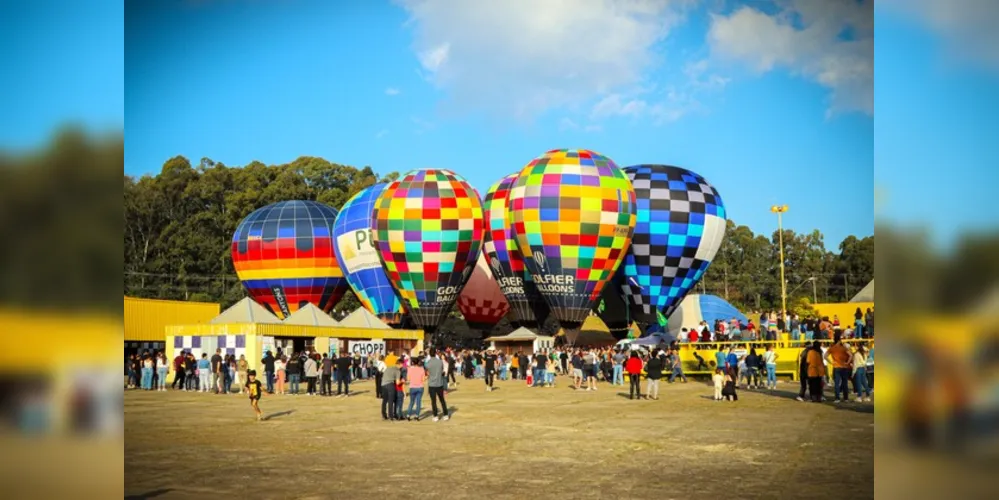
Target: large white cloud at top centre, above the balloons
522	58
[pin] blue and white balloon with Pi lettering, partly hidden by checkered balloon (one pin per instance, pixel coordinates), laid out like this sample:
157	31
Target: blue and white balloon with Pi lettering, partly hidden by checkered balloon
355	251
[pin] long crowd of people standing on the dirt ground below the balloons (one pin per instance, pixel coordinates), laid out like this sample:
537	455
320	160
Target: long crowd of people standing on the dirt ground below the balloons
400	375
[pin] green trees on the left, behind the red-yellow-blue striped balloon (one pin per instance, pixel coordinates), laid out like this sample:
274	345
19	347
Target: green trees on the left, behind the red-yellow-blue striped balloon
179	223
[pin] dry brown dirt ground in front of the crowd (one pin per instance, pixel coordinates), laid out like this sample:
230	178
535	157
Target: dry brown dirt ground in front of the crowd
515	442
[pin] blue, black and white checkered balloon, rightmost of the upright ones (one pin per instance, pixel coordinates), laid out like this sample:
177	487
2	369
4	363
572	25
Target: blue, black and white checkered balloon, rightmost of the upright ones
680	226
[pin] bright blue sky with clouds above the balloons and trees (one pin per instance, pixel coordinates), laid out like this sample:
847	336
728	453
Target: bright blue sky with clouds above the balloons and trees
772	103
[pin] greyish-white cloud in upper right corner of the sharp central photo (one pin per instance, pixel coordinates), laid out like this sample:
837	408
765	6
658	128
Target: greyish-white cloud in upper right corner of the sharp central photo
830	42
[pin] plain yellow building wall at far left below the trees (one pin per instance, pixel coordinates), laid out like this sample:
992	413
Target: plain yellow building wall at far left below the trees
145	319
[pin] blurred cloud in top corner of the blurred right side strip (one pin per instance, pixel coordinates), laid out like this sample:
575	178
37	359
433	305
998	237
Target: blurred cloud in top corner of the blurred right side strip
967	27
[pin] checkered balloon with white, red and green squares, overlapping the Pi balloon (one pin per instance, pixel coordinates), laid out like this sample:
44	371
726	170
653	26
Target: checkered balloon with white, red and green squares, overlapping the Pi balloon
428	233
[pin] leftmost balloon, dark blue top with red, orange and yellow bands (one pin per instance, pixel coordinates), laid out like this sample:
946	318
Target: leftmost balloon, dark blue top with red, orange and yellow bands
283	253
